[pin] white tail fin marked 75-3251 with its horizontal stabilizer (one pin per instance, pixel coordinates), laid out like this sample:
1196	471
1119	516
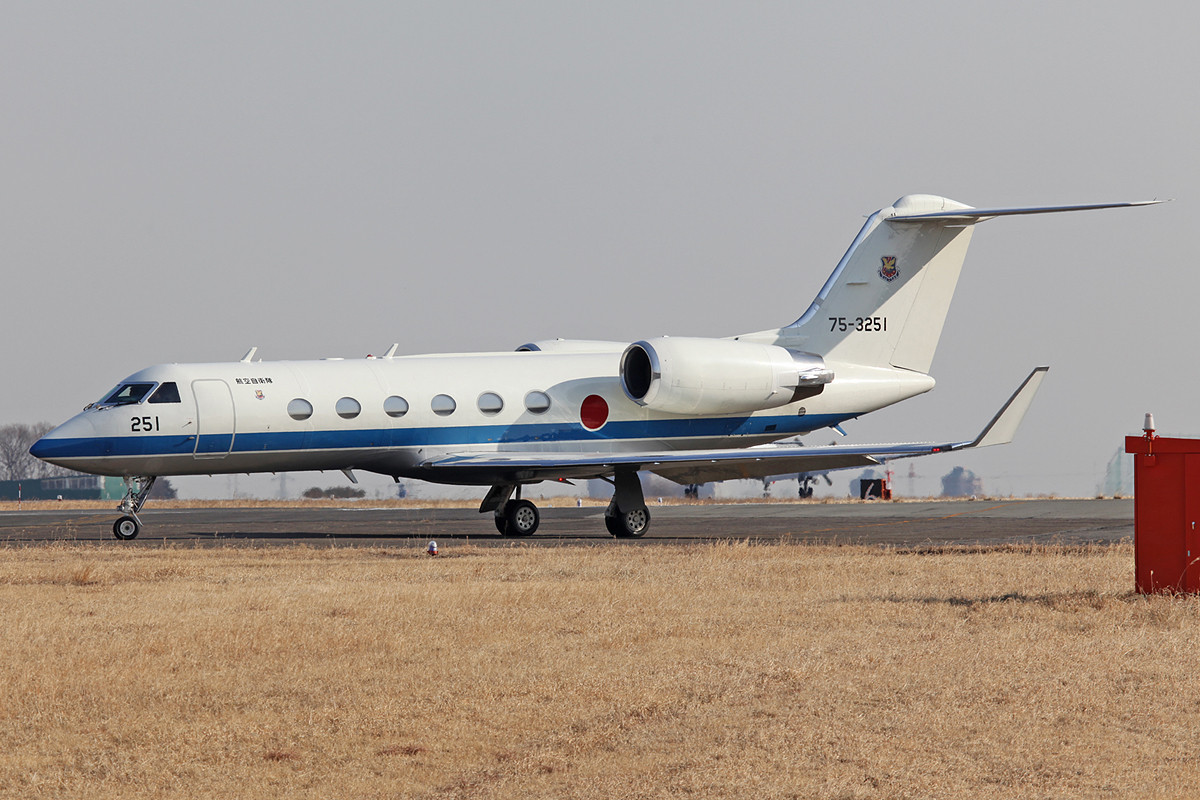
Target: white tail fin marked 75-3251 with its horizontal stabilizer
886	303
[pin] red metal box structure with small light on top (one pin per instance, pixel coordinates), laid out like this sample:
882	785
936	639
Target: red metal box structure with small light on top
1167	508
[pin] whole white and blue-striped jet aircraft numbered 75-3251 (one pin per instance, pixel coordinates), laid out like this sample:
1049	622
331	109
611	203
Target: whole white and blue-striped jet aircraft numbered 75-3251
689	410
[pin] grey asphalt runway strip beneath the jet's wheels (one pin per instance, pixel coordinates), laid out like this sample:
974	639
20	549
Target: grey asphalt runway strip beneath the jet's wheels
905	525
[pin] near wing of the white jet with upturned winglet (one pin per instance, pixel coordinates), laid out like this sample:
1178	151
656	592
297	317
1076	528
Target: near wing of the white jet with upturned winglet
703	466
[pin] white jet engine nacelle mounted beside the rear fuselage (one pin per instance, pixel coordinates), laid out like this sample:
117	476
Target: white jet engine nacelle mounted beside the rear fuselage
694	376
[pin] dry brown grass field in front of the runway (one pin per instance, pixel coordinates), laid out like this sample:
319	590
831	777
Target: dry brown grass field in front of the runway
724	671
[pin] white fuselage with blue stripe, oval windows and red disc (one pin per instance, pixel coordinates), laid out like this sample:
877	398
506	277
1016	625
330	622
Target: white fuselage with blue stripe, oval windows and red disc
398	416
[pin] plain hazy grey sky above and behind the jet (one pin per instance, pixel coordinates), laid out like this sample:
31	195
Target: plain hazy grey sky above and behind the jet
182	183
